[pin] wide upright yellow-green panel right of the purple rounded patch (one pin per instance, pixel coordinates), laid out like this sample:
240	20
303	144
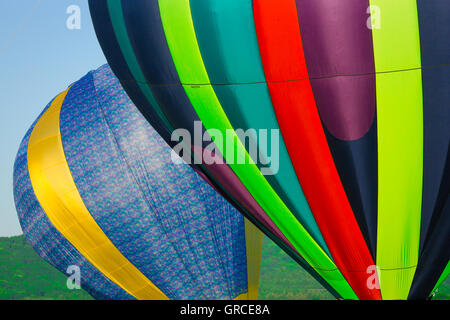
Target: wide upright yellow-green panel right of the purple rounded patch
400	148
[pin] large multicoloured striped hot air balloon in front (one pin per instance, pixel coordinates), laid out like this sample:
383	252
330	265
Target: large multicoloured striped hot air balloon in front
360	93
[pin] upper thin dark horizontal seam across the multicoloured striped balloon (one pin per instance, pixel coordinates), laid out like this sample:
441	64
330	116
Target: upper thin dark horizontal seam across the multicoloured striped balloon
291	80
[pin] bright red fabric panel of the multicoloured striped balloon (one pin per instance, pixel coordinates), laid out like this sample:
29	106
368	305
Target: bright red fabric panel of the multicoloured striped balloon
279	35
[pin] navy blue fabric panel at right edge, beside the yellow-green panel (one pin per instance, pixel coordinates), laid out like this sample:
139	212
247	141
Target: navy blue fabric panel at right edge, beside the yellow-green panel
435	54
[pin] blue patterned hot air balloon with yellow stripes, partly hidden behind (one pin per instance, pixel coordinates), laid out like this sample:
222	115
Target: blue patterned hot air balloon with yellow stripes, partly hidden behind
96	189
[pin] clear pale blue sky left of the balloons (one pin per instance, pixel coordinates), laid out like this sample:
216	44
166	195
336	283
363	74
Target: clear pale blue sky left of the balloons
39	58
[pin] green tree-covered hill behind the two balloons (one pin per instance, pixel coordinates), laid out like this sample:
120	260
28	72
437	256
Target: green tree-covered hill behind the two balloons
24	275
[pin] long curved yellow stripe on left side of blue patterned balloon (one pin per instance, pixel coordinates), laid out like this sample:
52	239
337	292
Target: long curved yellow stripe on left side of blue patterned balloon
58	195
